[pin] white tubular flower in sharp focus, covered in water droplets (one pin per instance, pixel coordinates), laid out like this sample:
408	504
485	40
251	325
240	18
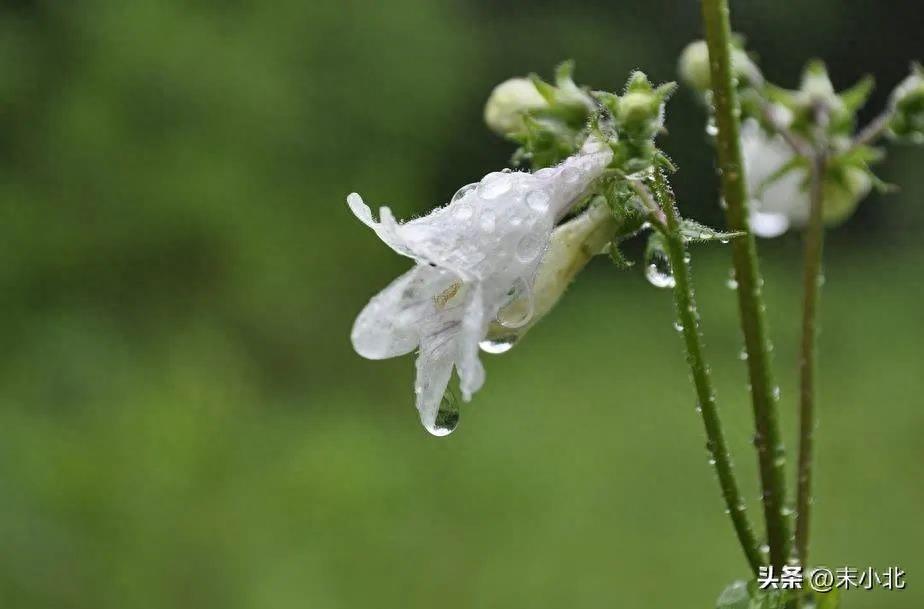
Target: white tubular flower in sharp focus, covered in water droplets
475	256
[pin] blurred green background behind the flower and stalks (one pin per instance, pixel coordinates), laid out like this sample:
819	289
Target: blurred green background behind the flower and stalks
183	422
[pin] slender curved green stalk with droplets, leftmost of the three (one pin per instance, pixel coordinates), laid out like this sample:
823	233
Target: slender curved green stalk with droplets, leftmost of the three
685	304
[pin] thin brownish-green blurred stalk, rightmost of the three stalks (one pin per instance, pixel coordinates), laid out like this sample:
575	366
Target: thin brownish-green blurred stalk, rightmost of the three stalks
811	293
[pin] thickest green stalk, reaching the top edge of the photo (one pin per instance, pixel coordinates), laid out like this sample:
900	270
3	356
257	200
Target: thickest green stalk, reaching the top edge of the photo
767	440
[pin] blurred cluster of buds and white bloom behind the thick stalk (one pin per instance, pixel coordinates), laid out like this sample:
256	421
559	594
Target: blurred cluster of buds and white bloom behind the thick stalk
785	131
